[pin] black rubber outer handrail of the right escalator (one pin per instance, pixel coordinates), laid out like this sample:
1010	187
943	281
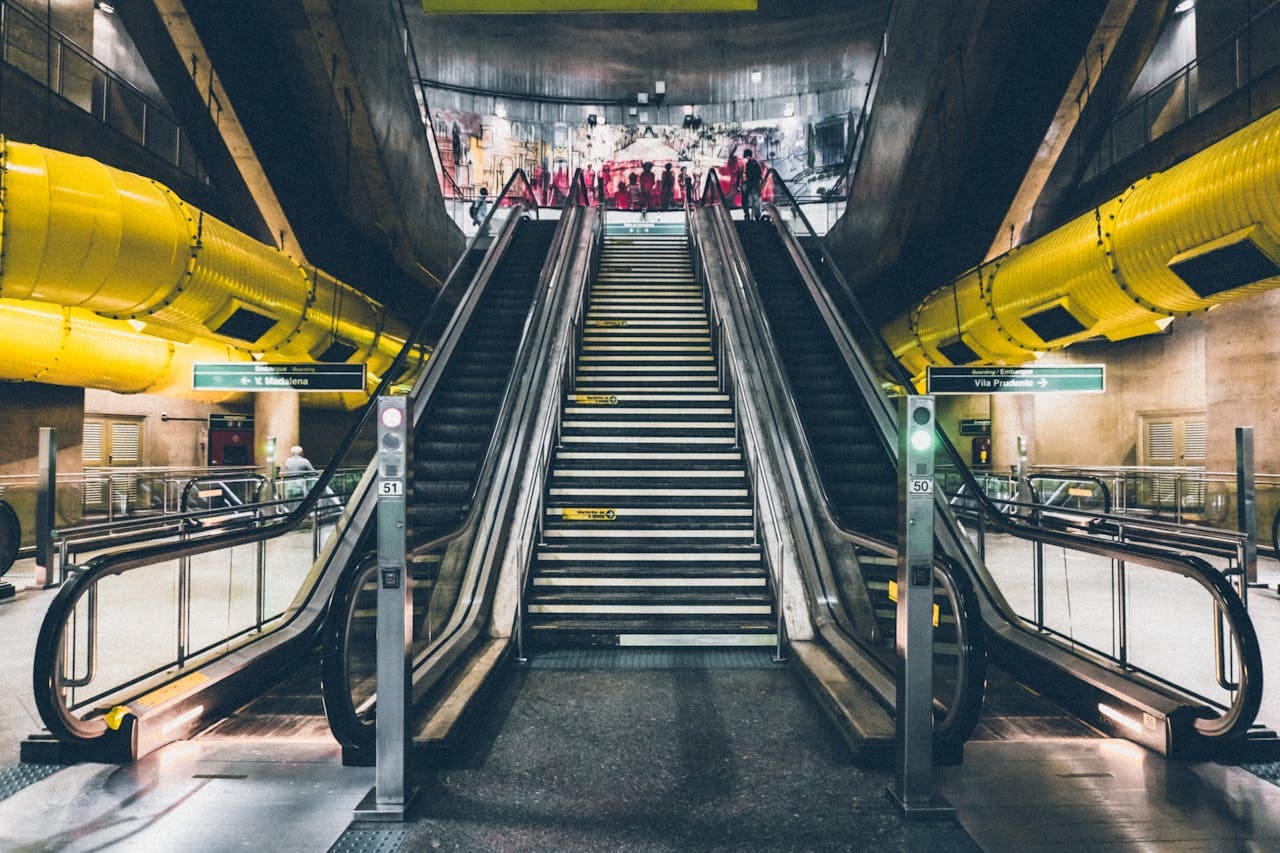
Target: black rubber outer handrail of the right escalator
1240	717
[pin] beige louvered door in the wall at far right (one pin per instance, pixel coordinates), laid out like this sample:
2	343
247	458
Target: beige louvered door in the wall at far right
1173	441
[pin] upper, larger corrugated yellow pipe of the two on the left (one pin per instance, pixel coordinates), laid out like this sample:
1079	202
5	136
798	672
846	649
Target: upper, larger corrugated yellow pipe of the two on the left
84	235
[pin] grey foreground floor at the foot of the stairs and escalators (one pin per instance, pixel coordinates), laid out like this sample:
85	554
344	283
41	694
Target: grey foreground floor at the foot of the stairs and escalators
647	755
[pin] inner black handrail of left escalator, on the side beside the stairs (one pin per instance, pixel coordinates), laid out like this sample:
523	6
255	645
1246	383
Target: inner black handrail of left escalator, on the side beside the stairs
344	717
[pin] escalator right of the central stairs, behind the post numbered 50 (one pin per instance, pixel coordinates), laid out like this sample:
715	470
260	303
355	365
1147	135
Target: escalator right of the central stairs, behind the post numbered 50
845	428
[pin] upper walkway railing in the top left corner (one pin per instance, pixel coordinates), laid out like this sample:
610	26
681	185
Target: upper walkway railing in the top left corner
53	60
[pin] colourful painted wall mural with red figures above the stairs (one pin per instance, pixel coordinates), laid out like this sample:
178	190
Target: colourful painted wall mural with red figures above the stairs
486	150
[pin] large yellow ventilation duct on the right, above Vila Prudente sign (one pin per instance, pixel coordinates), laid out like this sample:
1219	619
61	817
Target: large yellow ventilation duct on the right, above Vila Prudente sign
1181	241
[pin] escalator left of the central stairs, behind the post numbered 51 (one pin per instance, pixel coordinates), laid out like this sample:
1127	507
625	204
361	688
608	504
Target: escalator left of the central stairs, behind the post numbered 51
158	642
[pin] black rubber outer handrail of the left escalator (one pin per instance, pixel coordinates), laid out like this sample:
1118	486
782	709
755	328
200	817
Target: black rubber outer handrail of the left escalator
48	660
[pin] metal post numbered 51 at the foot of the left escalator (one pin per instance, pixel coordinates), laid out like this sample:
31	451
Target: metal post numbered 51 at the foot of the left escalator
391	797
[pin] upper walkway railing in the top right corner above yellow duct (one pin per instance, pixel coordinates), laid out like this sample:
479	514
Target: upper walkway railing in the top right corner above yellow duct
1235	65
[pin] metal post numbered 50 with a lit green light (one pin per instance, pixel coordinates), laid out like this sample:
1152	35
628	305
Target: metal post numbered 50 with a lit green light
913	788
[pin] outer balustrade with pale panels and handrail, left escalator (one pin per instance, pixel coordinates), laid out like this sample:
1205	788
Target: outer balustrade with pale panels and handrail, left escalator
188	612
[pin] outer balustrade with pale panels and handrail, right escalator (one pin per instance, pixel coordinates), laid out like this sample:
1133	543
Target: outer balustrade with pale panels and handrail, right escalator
1109	572
